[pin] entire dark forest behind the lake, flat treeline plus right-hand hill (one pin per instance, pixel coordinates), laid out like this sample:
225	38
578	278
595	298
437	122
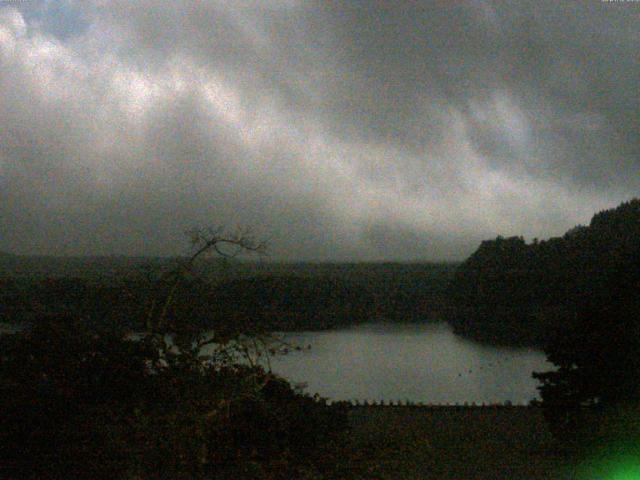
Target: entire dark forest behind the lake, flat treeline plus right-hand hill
508	292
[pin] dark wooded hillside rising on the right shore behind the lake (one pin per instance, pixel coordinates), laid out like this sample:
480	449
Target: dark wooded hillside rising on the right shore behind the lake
512	292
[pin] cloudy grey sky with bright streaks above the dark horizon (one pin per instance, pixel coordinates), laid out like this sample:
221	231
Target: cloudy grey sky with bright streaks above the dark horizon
336	131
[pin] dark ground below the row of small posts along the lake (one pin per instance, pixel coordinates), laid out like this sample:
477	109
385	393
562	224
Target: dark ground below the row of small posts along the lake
449	443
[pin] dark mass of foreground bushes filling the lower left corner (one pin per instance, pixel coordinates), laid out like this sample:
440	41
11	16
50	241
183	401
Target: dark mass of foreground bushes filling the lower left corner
81	403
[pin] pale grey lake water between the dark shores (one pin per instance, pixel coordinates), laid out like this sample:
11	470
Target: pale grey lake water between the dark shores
418	362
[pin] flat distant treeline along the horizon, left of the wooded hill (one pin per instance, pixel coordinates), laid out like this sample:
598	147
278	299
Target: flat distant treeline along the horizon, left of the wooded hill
272	295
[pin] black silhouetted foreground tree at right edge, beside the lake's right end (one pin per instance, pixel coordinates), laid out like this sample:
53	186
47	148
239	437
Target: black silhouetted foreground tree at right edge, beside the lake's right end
597	359
